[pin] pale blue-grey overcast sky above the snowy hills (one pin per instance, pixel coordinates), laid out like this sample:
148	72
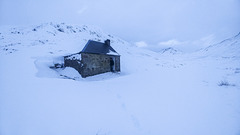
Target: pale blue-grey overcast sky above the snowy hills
152	21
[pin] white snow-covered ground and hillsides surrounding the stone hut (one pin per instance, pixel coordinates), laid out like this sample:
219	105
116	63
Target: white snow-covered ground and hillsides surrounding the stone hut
154	94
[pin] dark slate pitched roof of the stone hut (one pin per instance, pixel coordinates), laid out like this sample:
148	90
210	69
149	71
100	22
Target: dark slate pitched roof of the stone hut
98	48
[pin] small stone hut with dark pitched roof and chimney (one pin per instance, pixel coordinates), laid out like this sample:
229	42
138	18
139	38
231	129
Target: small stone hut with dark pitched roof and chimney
95	58
